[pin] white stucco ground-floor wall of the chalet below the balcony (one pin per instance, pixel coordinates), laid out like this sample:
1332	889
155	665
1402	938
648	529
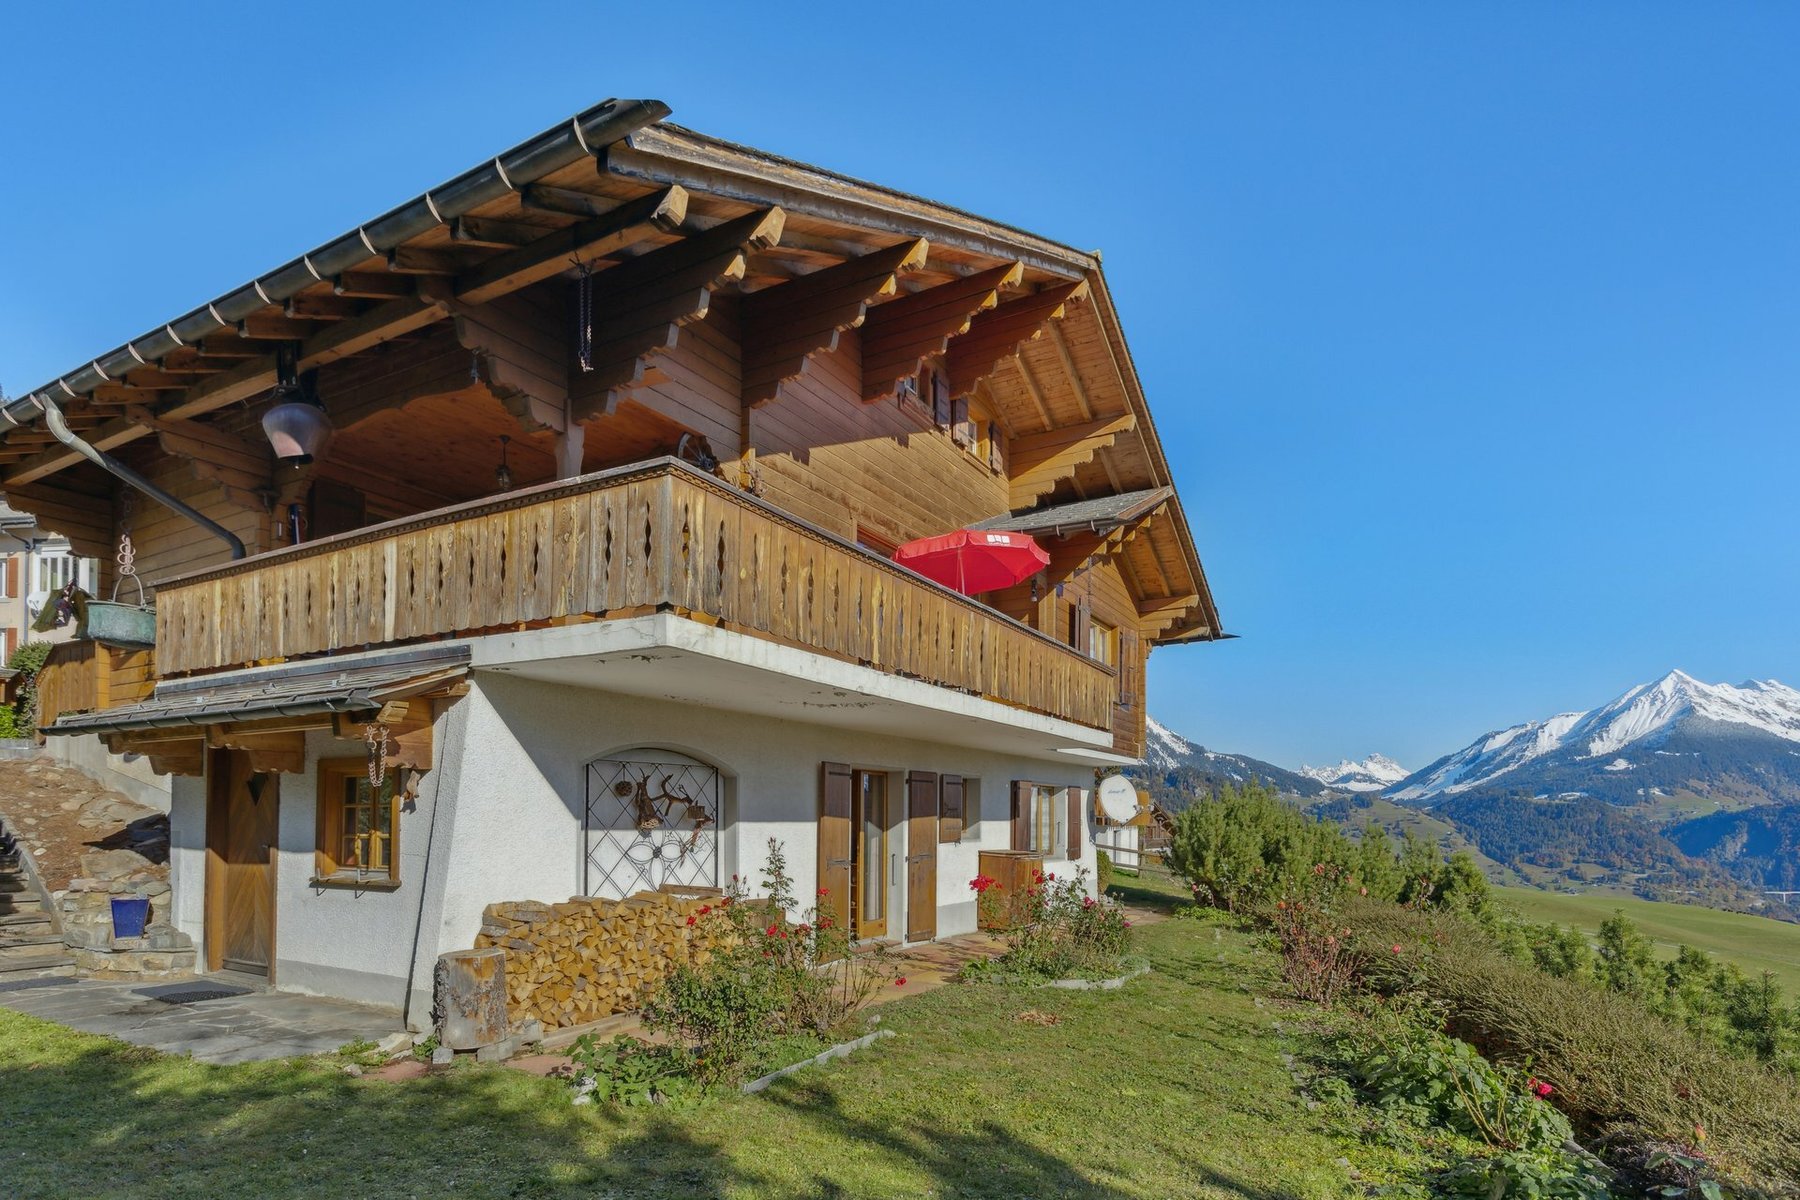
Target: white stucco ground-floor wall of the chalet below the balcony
501	818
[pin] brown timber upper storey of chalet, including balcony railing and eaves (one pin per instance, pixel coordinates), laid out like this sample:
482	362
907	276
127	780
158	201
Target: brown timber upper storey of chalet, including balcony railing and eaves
847	364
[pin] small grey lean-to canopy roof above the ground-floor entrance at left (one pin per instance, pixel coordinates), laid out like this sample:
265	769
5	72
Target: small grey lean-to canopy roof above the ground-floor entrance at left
303	690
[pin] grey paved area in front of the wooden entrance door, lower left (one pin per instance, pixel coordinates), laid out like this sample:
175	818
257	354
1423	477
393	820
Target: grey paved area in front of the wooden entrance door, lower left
228	1030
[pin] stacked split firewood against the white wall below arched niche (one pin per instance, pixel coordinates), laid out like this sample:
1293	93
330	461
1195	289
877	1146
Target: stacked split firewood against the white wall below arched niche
579	962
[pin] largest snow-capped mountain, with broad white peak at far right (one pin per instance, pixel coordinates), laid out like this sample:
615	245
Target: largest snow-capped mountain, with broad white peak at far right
1673	735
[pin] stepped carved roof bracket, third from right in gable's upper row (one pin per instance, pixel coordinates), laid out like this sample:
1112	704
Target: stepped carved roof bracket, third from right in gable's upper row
787	325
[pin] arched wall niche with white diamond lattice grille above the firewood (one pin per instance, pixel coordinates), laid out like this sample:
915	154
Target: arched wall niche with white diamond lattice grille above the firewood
652	819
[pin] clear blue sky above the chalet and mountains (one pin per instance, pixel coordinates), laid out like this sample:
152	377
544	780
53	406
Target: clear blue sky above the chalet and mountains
1473	332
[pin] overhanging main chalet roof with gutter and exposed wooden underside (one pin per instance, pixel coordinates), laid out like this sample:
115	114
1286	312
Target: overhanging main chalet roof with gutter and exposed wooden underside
618	179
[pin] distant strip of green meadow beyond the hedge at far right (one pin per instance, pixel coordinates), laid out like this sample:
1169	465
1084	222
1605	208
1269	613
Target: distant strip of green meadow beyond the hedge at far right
1754	944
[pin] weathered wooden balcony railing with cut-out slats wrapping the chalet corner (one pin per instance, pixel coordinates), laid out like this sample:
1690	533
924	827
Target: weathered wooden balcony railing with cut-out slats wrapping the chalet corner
652	537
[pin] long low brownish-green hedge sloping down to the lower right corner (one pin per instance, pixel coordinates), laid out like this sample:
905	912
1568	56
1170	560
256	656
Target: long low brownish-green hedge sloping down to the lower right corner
1619	1070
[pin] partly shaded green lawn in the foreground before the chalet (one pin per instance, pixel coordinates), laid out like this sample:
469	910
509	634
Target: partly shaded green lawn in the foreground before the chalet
1171	1088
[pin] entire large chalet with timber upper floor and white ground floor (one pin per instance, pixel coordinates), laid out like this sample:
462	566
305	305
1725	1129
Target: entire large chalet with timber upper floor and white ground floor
591	578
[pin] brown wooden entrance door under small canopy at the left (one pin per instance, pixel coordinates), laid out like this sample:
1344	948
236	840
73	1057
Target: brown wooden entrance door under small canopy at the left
242	809
